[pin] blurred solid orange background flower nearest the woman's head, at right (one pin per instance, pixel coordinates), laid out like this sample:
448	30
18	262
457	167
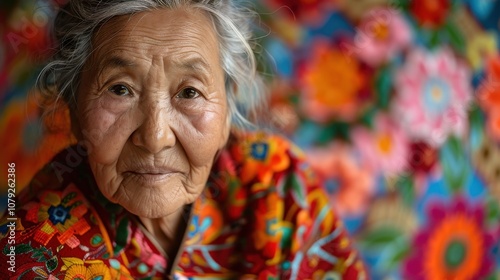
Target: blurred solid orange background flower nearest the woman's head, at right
333	85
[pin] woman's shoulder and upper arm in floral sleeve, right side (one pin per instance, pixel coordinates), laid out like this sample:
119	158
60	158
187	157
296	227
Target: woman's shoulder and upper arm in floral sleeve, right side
289	221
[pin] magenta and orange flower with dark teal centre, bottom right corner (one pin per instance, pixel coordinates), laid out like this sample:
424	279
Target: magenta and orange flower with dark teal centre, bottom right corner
454	245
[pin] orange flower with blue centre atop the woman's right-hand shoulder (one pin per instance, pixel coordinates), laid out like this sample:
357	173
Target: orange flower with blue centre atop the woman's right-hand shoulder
262	156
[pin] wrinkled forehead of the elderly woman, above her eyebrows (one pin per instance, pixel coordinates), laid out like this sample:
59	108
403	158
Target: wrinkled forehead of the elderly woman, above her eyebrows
181	34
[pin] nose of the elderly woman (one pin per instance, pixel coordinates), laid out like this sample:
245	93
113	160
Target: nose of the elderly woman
154	133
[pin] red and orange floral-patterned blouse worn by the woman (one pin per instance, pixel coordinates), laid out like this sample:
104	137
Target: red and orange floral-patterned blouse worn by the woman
262	215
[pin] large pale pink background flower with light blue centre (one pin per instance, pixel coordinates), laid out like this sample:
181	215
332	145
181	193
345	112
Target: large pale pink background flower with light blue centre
433	92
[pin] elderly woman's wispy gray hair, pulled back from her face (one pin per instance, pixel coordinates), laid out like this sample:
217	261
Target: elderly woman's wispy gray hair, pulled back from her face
76	24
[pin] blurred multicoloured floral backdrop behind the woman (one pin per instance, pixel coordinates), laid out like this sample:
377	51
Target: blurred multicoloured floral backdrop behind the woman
396	103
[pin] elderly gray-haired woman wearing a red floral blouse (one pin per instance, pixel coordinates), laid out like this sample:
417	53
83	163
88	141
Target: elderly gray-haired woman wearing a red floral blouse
165	181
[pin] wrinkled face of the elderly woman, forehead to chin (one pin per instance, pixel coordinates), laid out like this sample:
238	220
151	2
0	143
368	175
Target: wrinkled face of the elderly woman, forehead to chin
151	109
